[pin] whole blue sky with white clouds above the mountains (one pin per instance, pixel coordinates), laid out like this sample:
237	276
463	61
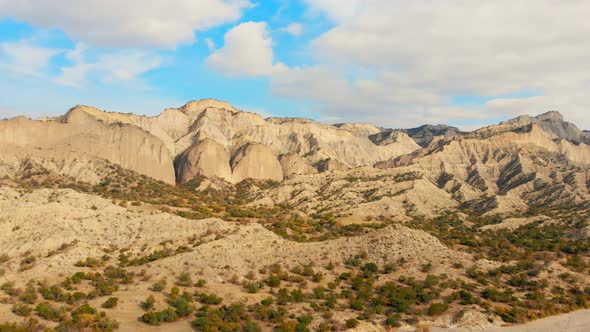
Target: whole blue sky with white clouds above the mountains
392	63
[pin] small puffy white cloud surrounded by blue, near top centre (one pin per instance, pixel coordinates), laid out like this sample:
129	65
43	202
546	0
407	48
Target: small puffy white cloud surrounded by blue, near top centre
247	51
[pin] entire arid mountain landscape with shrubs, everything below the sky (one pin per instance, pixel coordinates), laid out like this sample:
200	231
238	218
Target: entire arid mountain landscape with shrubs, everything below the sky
208	218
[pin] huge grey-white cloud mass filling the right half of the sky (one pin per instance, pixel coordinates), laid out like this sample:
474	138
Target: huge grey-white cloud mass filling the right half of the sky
423	53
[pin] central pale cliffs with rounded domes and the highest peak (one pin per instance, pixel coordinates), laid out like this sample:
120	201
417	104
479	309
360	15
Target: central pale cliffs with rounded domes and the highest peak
203	135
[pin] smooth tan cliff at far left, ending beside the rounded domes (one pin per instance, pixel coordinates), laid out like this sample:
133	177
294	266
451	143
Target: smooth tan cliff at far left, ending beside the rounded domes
89	133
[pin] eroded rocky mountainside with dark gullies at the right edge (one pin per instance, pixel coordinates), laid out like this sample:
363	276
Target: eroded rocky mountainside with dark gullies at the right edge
514	166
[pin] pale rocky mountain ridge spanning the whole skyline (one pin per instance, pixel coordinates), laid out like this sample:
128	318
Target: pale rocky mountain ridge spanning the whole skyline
213	139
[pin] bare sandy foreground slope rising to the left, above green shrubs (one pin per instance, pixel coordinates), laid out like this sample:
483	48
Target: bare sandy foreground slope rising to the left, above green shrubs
48	235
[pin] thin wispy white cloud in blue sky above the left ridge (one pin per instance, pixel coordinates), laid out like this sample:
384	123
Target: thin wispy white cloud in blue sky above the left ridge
111	67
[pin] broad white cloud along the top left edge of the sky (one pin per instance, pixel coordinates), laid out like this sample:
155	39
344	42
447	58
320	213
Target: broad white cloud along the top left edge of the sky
129	23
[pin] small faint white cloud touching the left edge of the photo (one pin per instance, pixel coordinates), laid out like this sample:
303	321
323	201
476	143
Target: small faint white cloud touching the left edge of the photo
23	57
